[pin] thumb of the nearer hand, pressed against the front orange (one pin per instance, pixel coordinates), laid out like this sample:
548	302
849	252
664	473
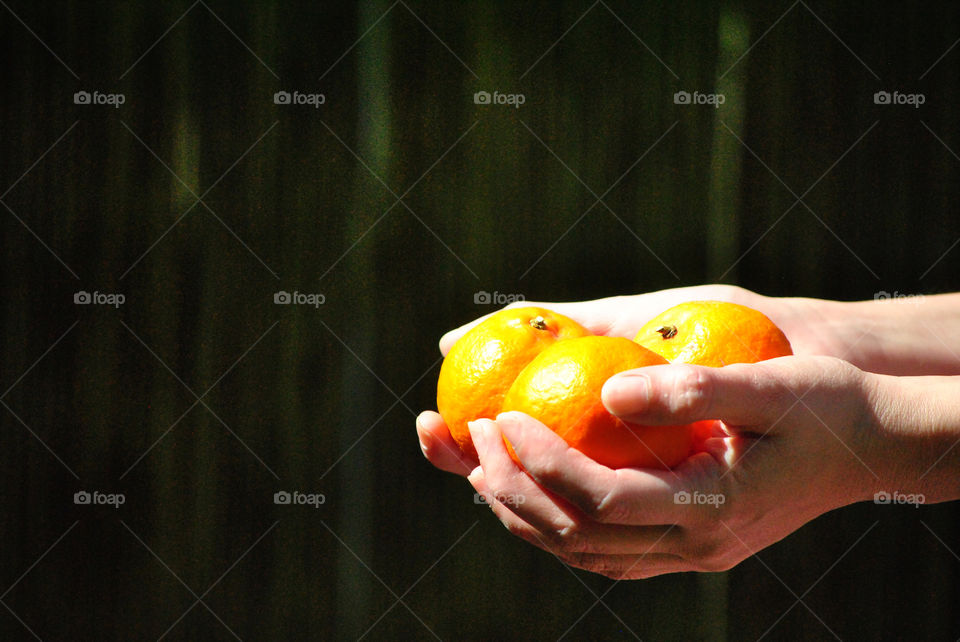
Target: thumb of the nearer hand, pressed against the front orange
741	395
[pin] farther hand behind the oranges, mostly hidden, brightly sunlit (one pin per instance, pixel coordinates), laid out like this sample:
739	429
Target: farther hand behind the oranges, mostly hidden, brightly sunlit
623	316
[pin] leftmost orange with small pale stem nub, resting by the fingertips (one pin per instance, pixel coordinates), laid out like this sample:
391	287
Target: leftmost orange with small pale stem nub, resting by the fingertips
483	363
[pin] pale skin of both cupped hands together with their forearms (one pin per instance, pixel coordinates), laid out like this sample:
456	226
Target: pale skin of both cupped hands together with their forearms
869	403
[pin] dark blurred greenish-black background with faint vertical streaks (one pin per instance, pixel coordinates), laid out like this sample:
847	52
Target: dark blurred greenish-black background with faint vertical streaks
496	199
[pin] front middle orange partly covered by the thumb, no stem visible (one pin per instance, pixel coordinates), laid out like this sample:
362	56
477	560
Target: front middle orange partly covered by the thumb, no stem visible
561	388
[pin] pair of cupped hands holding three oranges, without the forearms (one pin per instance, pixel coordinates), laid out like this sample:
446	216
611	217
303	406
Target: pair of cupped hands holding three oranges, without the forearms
787	446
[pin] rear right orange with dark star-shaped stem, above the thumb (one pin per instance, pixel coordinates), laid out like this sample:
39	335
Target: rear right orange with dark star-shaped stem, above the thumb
713	333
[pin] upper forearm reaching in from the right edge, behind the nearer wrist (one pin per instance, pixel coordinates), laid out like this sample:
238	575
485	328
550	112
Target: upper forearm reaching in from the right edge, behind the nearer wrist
897	336
